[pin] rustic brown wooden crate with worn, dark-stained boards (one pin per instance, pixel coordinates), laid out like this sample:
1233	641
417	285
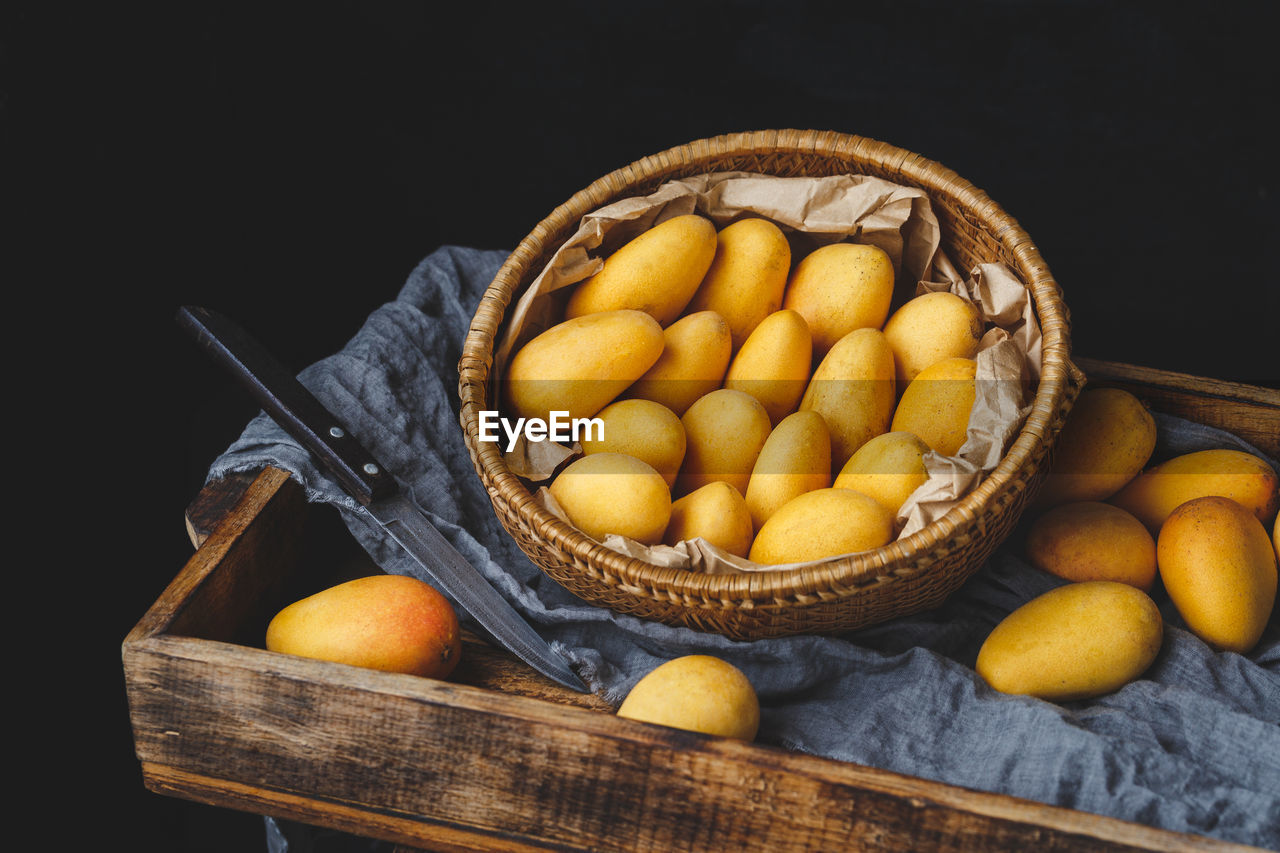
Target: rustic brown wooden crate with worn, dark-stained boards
502	759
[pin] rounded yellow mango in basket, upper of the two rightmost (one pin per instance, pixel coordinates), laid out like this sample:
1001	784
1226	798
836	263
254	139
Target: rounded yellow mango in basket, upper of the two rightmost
930	329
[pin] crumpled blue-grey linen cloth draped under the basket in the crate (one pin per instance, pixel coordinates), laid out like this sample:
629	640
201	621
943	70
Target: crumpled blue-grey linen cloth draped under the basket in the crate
1194	746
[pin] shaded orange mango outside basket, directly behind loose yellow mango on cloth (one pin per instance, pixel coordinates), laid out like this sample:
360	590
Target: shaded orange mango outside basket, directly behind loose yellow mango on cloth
1092	541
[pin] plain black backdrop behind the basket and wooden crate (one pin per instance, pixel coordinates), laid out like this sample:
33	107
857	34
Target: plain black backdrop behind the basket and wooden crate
290	165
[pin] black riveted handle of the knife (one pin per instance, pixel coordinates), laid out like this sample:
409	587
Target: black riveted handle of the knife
290	404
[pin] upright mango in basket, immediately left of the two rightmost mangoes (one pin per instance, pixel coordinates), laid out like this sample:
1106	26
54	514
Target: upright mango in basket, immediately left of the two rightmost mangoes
853	390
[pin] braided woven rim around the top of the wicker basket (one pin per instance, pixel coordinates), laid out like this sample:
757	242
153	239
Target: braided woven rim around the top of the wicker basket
835	577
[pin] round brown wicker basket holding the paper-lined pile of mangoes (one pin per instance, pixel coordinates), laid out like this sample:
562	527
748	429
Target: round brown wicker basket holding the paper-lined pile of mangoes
912	574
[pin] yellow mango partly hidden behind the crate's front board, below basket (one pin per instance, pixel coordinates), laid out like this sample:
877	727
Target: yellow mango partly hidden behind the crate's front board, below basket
697	694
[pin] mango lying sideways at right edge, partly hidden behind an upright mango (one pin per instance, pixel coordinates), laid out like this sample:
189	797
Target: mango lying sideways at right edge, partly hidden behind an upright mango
1228	473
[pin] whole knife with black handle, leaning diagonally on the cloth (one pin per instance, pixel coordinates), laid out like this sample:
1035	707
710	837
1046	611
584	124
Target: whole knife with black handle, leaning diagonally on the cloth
362	476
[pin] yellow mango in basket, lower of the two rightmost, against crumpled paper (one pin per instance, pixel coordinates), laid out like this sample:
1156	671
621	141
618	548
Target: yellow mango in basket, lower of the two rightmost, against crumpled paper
936	405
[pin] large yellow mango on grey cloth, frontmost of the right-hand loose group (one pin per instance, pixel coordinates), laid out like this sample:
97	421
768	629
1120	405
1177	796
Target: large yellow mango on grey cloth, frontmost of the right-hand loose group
1077	642
